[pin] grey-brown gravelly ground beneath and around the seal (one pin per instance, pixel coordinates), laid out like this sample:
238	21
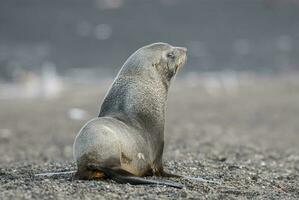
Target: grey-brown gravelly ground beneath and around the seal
243	135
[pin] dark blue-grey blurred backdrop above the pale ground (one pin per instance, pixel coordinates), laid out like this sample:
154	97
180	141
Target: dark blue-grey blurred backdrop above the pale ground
90	39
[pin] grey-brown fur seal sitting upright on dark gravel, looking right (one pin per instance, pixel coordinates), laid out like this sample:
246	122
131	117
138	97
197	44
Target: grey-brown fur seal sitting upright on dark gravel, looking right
125	142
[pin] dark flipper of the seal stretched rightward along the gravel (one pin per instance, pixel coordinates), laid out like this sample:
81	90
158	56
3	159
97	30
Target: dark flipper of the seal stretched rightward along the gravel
122	176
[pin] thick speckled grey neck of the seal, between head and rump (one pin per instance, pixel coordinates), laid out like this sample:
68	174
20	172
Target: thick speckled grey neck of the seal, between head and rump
138	102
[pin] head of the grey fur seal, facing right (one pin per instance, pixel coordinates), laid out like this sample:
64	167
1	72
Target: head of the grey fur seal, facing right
156	61
